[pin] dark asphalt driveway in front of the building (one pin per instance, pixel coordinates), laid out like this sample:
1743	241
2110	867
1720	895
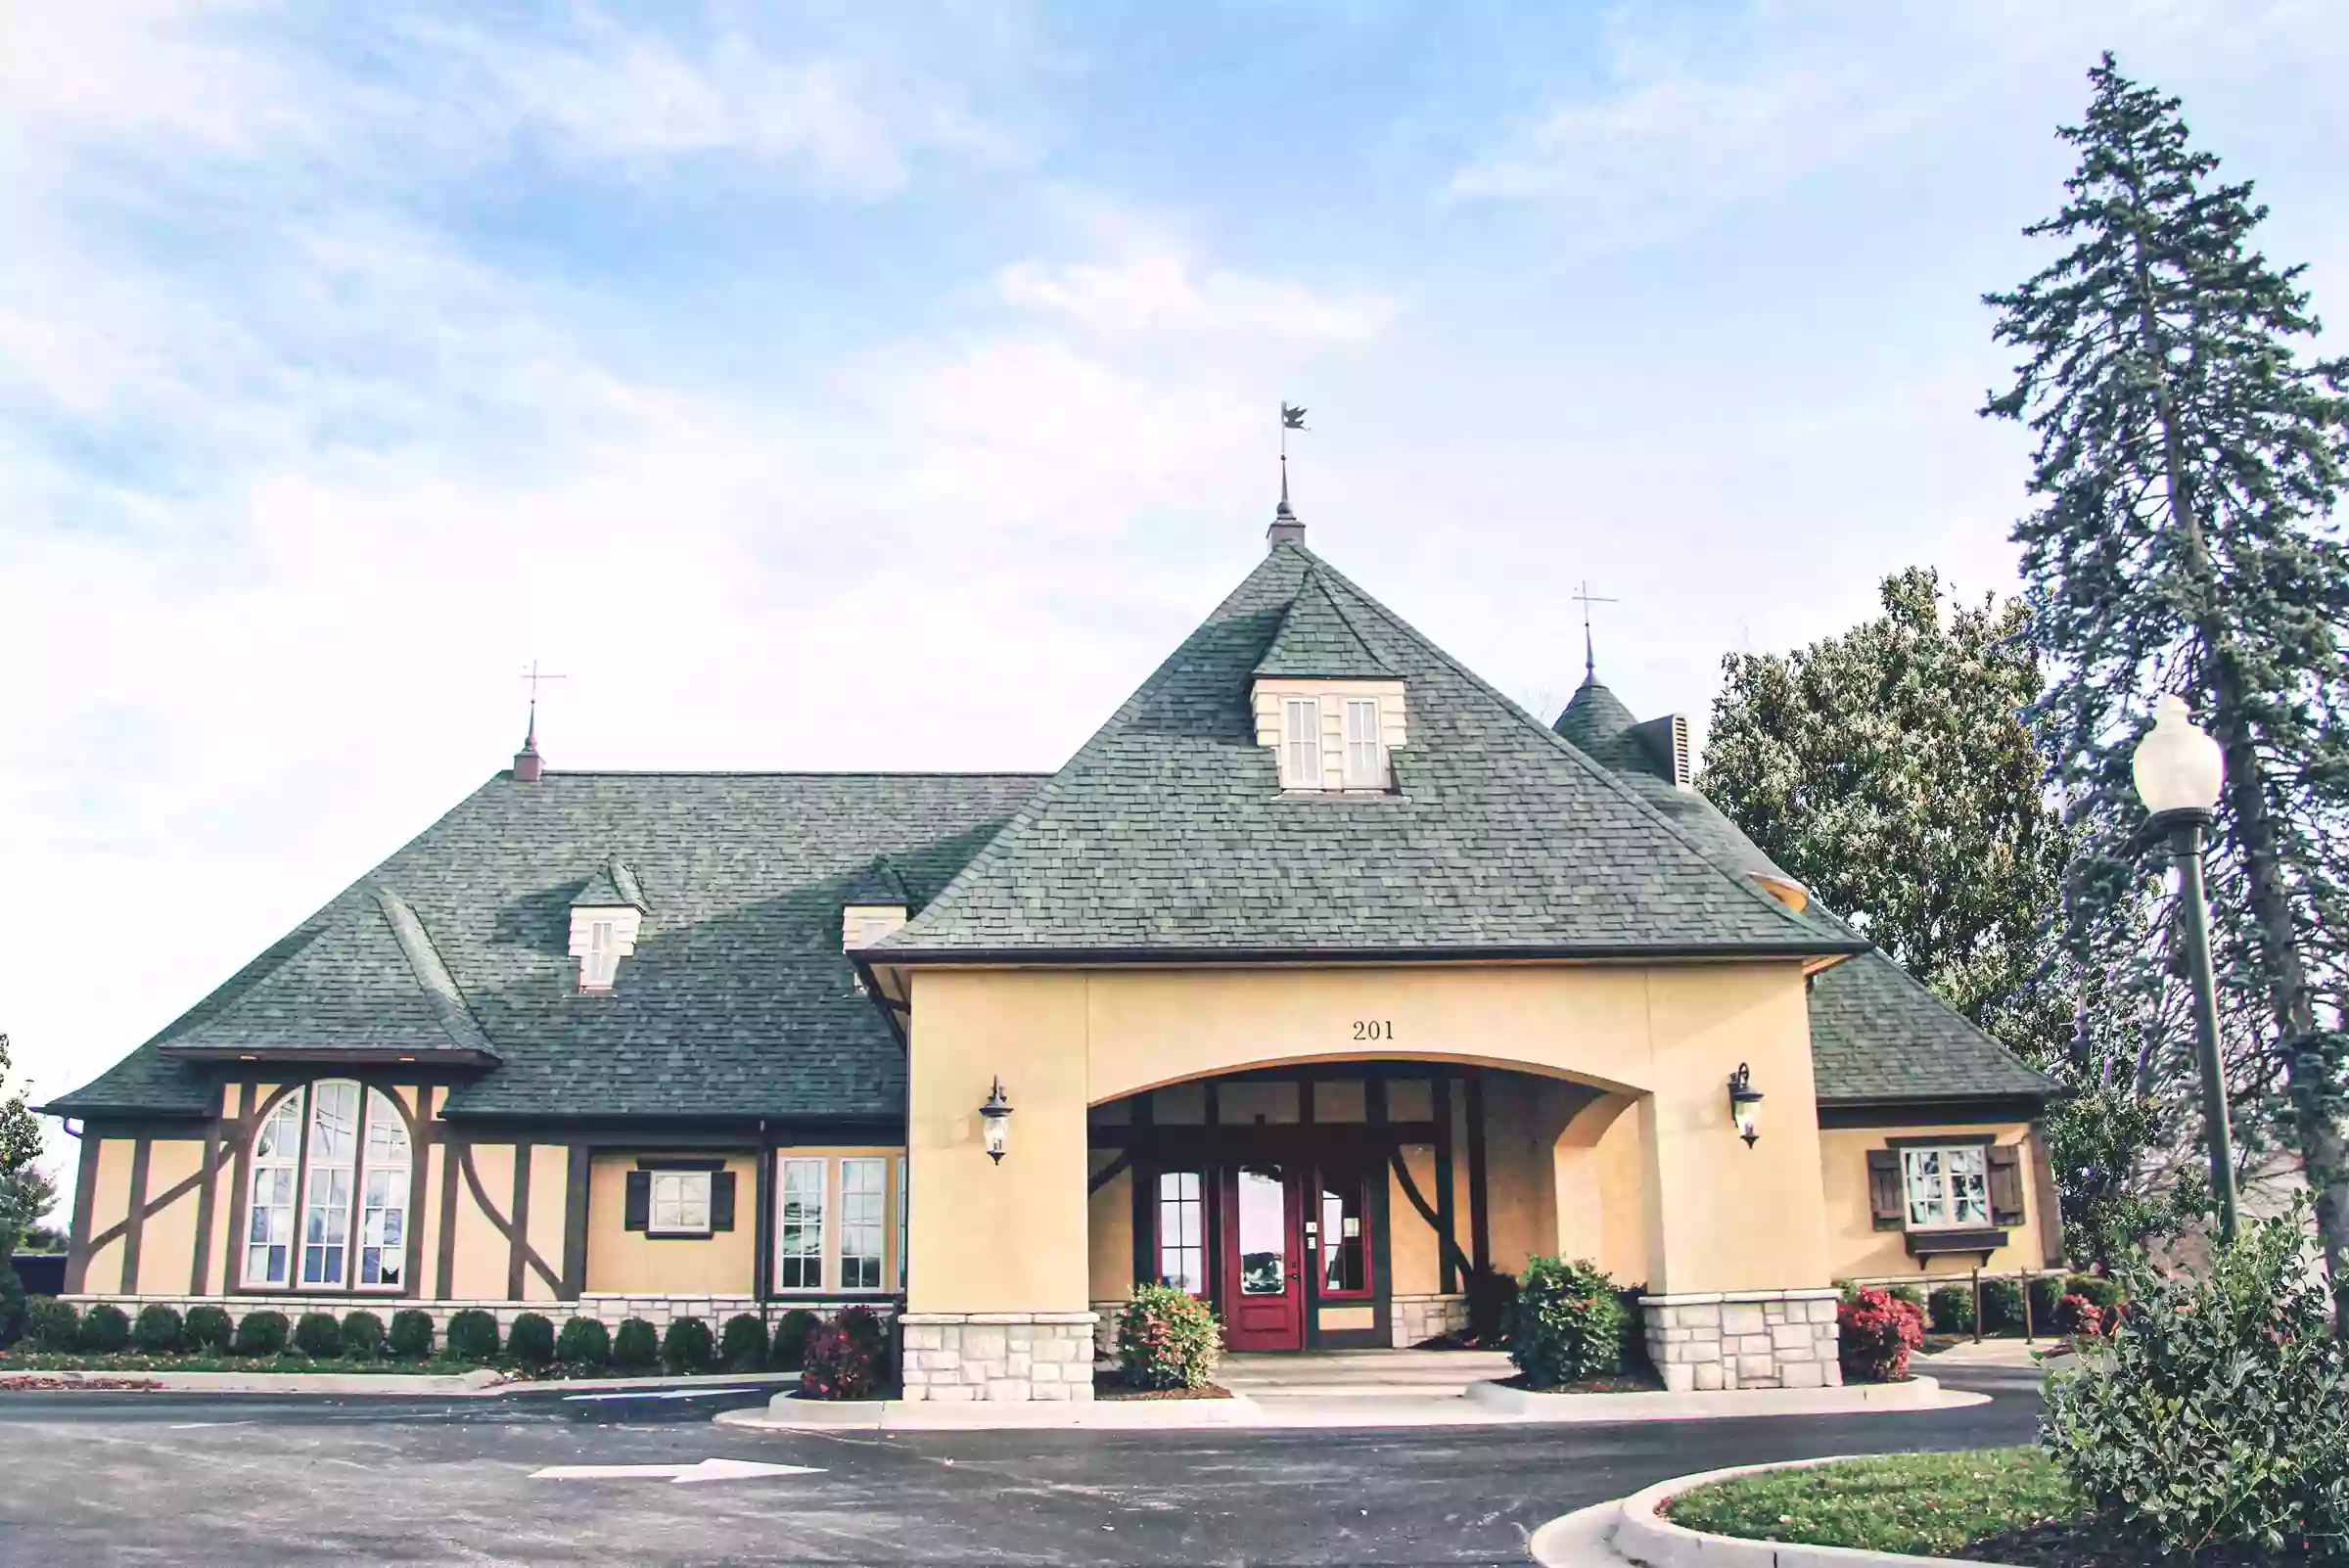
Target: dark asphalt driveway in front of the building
253	1480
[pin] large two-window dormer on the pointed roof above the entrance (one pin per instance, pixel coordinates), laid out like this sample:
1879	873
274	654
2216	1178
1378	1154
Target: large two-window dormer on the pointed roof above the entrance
1326	703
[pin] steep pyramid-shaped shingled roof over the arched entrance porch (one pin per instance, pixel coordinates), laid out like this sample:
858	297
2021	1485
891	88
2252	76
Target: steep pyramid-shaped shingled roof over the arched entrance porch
1169	832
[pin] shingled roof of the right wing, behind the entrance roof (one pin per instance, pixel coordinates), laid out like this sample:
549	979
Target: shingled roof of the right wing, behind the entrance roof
1876	1034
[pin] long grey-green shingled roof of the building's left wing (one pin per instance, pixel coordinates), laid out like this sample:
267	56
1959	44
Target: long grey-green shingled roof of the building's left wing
736	1001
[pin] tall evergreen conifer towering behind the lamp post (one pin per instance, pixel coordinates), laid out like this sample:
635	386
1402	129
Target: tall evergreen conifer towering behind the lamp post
2186	468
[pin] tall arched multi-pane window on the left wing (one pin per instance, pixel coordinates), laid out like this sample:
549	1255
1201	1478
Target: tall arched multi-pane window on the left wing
337	1147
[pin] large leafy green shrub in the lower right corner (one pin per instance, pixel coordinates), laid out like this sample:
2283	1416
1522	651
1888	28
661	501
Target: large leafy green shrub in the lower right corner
2214	1421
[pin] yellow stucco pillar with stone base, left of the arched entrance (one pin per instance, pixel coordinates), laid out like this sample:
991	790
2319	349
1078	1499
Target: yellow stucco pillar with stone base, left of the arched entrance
997	1255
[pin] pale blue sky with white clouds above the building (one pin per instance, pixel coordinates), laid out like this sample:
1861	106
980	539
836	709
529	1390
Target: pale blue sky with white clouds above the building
856	386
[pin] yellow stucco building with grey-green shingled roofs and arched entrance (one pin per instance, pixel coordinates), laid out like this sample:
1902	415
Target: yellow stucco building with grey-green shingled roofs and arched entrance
1324	982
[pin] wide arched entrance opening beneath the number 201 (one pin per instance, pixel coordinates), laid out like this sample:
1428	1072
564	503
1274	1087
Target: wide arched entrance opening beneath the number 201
1357	1203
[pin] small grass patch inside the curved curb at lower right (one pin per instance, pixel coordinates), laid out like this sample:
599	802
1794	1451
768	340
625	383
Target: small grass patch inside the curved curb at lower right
1918	1503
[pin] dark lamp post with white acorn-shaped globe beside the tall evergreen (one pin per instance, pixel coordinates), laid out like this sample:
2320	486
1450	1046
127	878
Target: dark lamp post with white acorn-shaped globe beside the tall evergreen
2179	776
